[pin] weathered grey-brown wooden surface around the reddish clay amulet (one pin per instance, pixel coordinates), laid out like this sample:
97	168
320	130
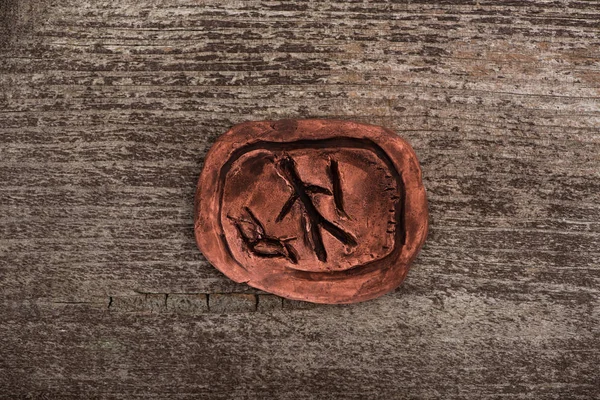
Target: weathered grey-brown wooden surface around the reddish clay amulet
107	109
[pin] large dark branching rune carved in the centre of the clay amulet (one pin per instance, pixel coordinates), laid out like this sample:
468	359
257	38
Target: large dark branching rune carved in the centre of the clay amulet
313	220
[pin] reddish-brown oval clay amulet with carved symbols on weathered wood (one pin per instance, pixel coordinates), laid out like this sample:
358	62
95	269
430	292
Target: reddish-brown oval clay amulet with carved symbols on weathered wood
316	210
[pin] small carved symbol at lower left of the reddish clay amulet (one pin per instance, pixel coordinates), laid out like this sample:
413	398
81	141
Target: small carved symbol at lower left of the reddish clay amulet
259	243
